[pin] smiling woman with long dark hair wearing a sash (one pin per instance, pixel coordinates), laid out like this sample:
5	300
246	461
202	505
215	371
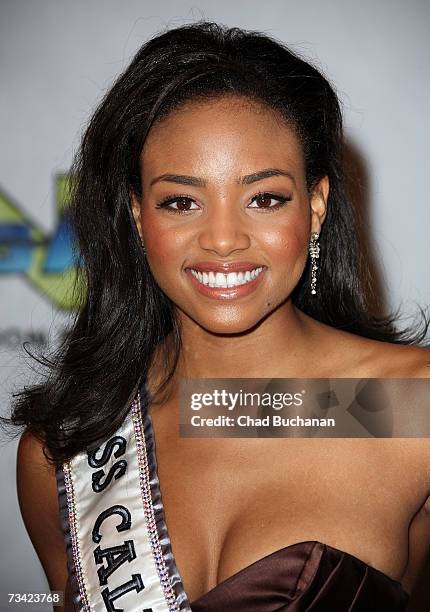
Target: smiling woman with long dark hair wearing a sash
208	182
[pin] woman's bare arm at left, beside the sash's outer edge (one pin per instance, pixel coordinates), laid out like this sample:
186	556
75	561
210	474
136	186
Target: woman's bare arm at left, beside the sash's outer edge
38	501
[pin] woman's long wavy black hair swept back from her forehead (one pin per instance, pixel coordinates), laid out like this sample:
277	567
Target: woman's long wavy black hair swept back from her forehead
124	315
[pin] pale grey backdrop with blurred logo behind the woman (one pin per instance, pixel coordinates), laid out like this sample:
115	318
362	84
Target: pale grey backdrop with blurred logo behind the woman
58	58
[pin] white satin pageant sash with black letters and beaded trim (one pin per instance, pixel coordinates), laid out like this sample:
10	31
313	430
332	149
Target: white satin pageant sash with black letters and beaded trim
118	548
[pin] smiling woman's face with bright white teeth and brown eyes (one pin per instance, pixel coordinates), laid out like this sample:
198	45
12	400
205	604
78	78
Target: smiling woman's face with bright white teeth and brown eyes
223	191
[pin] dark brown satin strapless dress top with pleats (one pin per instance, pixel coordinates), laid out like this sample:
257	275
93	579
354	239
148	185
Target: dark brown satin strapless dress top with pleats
303	577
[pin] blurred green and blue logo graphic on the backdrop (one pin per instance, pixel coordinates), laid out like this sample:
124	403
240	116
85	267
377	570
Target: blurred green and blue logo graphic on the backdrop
45	261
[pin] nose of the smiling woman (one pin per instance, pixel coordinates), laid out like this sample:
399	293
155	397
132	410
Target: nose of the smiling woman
224	230
